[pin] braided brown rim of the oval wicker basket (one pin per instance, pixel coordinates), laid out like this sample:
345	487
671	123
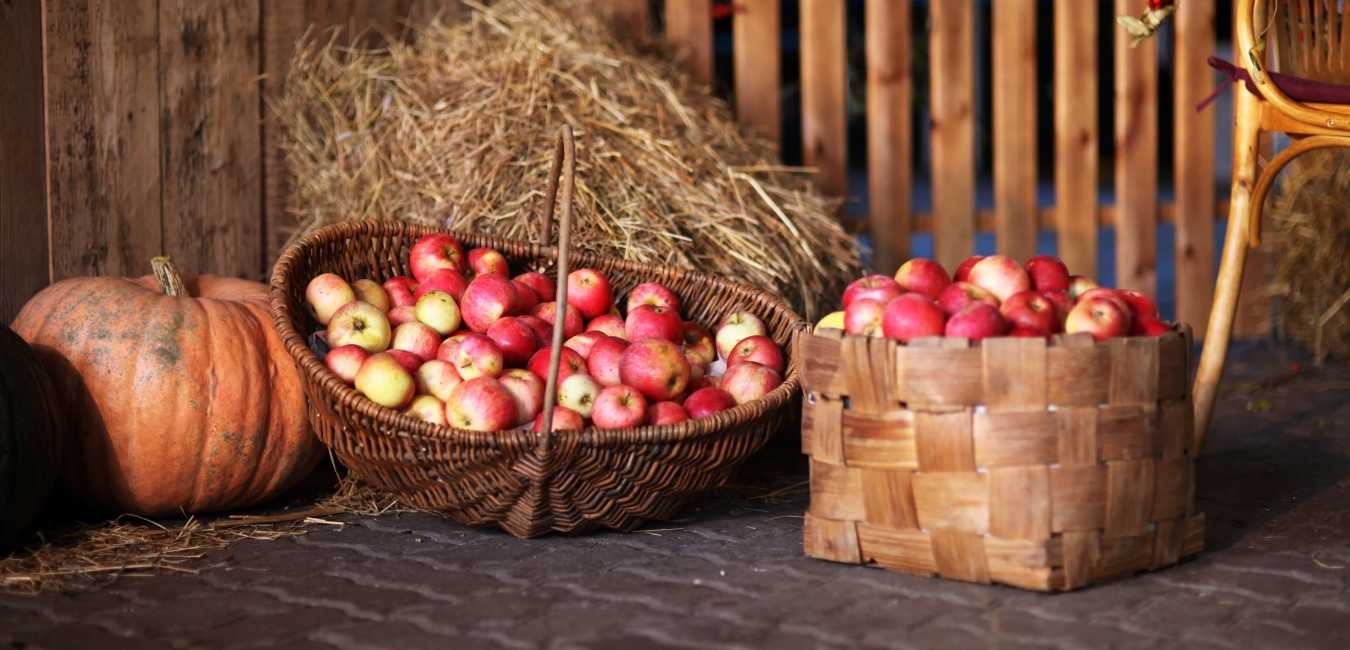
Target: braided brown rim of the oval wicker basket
388	420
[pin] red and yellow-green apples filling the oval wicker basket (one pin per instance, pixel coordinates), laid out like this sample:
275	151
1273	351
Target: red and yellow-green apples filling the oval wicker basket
465	344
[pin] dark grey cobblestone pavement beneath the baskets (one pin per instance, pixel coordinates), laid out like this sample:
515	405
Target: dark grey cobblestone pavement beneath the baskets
1275	484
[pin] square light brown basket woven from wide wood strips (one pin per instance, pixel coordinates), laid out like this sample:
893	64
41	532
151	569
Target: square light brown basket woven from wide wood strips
1043	466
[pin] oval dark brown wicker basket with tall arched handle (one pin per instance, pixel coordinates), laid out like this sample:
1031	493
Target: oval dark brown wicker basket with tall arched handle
527	483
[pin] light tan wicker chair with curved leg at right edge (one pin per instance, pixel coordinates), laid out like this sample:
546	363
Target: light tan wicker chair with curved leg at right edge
1313	47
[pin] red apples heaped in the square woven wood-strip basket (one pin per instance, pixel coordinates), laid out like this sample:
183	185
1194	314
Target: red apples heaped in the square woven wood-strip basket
992	297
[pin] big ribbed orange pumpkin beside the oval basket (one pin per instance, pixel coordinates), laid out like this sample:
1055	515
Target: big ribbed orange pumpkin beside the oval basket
180	397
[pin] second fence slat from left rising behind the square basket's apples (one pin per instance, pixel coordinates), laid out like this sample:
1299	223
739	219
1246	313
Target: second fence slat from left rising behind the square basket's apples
952	71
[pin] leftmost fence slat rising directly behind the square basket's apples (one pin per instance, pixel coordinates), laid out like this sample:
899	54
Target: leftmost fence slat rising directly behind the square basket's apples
890	172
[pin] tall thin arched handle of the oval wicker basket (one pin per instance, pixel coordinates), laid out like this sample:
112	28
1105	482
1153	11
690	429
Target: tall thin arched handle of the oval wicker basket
565	161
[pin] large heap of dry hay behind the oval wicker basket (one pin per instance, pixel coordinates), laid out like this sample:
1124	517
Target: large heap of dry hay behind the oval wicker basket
457	129
